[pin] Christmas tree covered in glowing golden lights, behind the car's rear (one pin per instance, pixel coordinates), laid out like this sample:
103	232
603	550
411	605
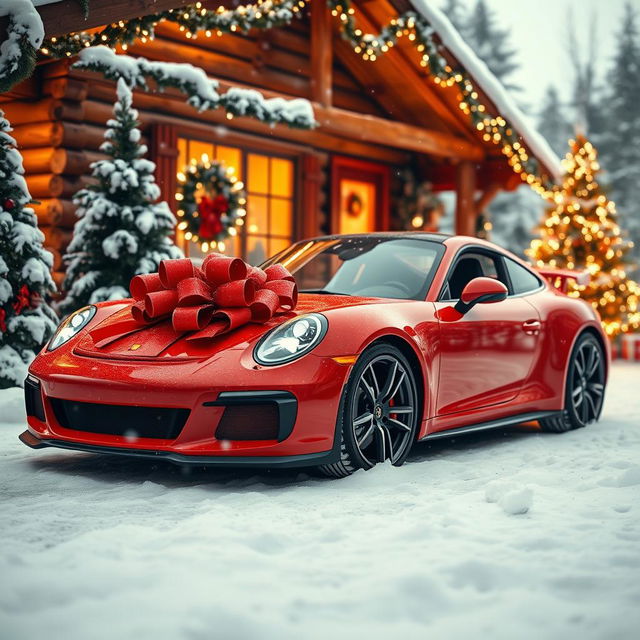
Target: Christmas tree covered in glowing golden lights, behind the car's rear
581	232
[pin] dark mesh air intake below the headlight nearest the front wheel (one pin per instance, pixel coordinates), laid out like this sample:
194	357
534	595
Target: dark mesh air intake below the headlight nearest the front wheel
249	422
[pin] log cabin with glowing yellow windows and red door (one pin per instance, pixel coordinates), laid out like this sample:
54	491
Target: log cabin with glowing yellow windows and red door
377	120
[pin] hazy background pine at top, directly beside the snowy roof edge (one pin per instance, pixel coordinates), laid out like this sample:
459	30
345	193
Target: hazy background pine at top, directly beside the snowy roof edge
491	43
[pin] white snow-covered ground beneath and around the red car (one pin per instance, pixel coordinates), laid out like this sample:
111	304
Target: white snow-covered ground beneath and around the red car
94	548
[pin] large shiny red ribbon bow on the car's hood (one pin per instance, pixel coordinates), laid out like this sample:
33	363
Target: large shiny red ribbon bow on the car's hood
225	293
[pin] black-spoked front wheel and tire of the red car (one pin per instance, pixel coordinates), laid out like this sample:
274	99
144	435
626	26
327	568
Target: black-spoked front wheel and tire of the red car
370	430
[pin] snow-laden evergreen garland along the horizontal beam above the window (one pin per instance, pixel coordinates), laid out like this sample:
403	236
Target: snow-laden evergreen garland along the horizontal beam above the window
201	90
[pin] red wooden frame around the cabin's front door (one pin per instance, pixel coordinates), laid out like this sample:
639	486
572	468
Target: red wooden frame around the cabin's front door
346	168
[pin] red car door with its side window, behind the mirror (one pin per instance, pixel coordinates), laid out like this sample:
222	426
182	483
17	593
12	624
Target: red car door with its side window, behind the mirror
485	356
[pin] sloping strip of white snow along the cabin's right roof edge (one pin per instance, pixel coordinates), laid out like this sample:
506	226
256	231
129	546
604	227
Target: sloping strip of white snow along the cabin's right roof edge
490	85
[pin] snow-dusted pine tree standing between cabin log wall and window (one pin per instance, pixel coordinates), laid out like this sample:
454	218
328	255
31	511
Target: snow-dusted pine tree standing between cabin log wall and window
122	230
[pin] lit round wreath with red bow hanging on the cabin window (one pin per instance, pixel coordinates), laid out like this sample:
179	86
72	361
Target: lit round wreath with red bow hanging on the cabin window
211	201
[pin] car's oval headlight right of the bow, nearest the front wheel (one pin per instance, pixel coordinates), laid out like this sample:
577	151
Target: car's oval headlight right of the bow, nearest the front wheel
291	339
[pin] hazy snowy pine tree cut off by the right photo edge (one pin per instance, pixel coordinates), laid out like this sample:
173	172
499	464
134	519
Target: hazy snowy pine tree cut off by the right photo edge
620	142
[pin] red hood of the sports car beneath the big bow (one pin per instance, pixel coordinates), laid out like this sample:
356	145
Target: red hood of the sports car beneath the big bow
119	337
